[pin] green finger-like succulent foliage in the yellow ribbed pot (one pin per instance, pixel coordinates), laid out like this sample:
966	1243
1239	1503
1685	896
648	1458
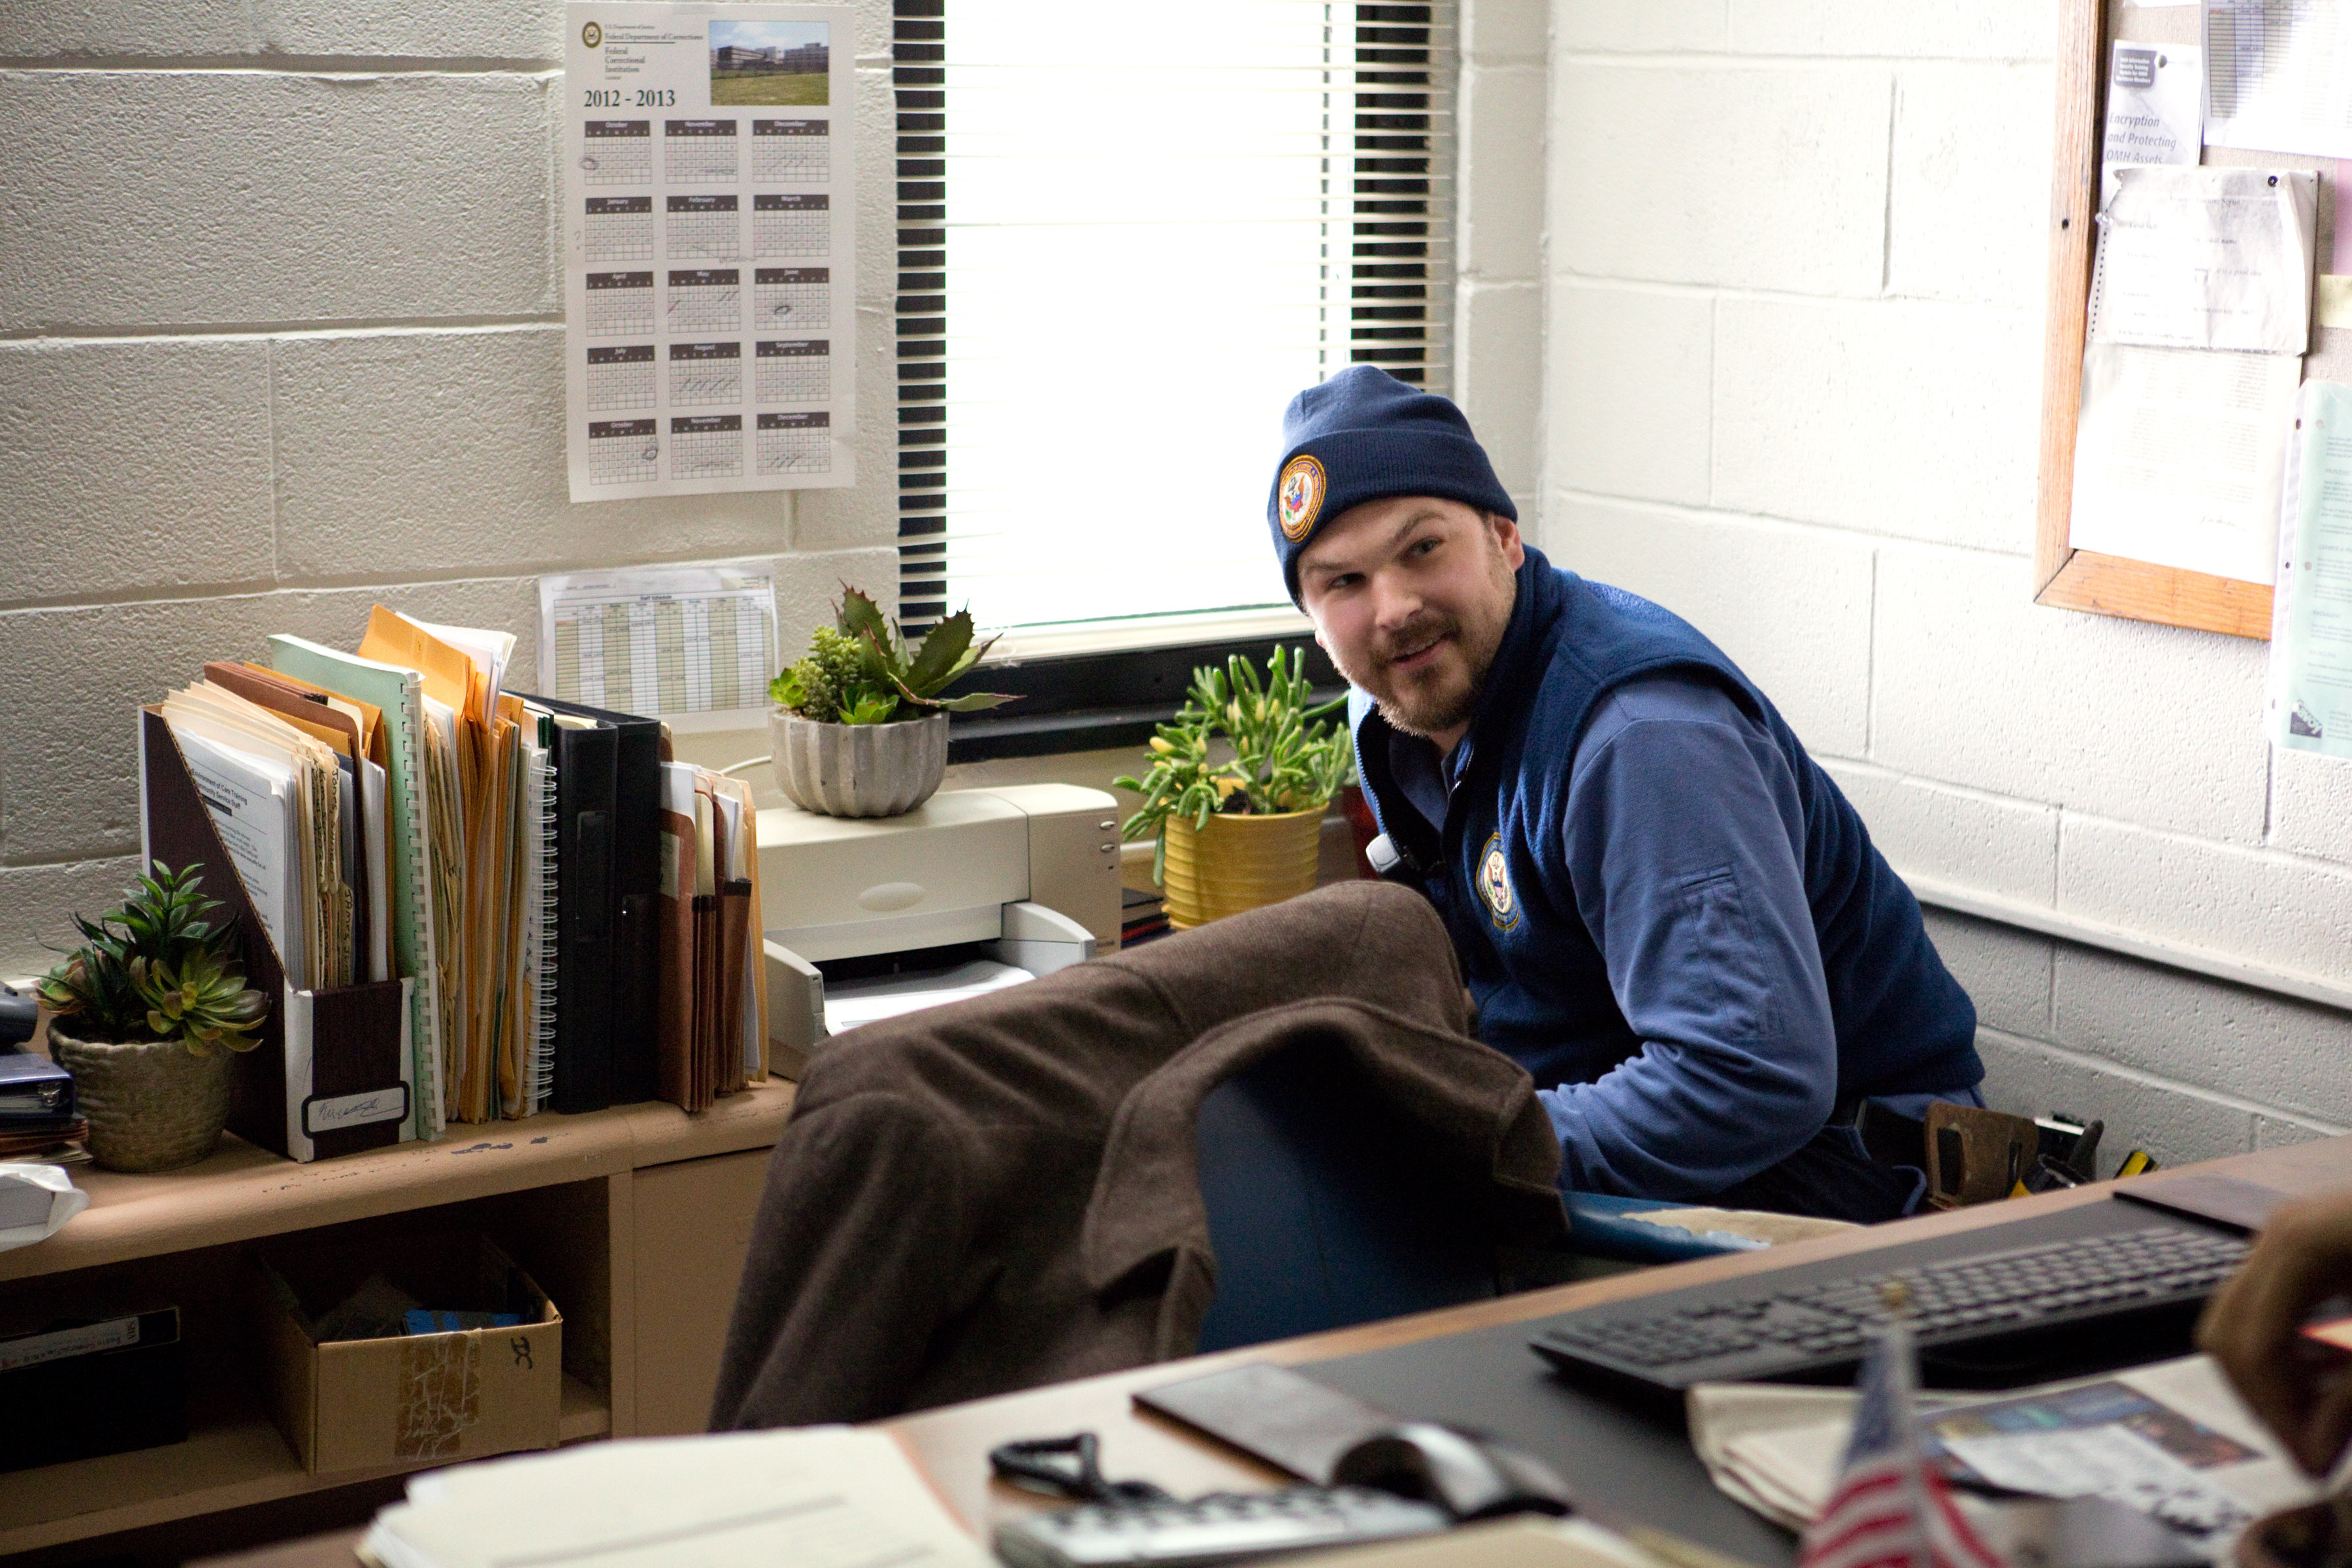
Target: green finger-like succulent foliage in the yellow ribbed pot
1285	758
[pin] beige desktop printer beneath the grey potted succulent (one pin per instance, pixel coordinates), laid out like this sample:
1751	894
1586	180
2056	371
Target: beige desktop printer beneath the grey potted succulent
973	890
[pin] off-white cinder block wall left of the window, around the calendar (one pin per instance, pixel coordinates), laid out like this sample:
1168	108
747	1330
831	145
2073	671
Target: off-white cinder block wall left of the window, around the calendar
281	337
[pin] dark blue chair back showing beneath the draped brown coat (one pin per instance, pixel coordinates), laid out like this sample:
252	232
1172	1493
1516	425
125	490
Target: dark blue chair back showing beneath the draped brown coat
1321	1212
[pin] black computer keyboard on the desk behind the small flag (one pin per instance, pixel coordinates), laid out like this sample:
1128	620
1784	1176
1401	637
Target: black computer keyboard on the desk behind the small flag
1822	1325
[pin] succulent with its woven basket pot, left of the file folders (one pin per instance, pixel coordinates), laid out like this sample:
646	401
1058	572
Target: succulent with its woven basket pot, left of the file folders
145	1019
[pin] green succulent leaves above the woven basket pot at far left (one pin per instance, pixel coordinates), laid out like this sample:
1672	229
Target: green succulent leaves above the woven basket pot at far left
159	970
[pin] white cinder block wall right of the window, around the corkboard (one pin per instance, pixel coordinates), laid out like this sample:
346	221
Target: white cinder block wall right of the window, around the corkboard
1791	389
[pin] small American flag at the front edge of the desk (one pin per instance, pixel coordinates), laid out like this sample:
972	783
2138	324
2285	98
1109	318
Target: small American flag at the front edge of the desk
1890	1508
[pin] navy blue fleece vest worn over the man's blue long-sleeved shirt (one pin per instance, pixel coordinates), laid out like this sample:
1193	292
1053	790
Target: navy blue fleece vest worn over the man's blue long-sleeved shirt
1904	1026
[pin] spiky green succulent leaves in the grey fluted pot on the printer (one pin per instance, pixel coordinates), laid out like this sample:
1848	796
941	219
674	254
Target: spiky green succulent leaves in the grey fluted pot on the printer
860	669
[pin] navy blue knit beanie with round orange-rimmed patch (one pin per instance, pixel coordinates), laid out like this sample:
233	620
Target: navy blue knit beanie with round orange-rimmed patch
1363	436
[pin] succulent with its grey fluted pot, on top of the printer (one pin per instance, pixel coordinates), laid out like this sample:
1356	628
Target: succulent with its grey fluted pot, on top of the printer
860	728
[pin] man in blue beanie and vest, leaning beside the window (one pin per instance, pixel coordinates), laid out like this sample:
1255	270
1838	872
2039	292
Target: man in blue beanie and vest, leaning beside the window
1666	911
